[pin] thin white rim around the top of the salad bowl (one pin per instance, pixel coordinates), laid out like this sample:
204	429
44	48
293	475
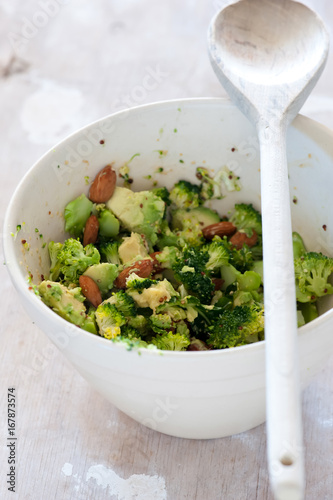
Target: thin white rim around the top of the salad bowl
22	286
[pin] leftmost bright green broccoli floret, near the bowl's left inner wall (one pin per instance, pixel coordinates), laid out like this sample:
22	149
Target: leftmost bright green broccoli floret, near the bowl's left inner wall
71	260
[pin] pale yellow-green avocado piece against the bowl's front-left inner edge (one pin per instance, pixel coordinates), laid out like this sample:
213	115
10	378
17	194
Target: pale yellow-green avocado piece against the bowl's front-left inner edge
67	303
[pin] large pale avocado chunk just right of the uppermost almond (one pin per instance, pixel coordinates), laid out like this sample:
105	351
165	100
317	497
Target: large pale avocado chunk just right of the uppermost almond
139	212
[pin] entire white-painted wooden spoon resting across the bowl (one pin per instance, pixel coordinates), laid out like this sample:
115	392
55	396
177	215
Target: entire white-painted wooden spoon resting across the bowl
269	55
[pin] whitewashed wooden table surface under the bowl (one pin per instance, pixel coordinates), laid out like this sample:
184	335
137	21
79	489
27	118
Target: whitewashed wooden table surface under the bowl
63	64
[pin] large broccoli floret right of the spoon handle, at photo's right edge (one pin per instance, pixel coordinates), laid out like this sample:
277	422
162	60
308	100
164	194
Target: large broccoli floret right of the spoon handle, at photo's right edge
312	271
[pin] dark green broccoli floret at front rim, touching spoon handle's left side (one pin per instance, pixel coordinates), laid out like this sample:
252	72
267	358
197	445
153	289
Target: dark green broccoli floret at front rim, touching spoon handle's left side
239	326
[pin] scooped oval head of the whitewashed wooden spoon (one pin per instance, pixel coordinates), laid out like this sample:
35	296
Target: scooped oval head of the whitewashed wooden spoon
268	44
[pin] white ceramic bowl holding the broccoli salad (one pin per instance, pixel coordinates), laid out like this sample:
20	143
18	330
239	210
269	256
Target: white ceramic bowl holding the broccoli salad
186	394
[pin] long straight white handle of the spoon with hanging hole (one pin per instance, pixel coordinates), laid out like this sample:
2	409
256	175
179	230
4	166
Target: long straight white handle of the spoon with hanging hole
283	404
